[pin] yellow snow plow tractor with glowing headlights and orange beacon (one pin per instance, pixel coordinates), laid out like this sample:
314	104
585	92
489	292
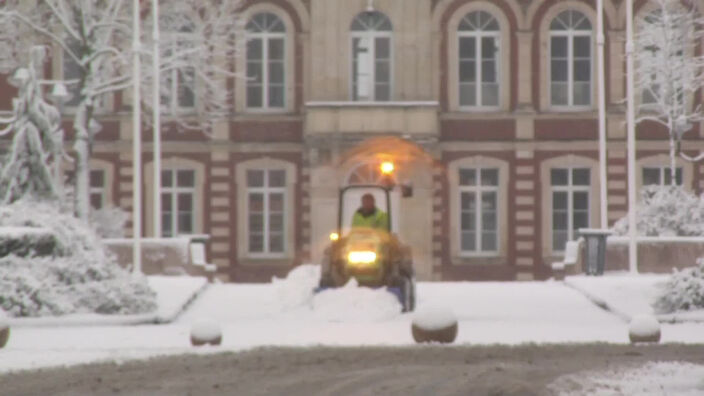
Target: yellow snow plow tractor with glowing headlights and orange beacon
366	249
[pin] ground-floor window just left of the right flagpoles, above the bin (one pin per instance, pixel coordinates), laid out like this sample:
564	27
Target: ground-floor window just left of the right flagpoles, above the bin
570	204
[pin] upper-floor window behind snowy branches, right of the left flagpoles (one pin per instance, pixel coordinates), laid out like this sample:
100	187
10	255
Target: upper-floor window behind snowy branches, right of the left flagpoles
179	82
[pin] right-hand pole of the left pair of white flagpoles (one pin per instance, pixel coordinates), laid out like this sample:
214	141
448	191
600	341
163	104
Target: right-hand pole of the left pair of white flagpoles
157	120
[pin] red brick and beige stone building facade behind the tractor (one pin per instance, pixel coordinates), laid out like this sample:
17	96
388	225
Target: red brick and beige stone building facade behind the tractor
501	94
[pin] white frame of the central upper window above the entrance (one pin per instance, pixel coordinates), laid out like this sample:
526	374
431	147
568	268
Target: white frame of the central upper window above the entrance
372	35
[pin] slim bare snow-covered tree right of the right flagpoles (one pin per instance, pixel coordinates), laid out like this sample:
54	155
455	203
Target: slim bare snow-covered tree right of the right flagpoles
669	69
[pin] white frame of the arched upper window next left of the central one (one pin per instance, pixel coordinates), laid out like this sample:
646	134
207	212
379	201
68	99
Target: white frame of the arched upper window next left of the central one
265	38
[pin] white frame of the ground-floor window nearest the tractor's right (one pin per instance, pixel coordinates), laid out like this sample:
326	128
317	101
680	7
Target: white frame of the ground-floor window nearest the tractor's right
478	191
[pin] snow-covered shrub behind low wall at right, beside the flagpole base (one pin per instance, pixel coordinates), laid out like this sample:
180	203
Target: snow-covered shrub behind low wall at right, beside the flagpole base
666	211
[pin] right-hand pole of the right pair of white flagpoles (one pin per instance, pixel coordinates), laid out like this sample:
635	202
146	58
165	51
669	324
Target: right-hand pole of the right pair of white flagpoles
631	133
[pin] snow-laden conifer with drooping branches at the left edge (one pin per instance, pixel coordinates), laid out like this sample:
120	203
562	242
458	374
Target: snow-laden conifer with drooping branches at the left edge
29	169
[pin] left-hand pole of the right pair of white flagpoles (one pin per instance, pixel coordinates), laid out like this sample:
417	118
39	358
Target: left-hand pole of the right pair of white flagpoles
602	114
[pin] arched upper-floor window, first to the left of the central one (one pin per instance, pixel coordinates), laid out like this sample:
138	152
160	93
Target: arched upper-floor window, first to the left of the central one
266	74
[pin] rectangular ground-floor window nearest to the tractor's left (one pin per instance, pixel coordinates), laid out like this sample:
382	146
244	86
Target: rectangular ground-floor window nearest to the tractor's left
266	211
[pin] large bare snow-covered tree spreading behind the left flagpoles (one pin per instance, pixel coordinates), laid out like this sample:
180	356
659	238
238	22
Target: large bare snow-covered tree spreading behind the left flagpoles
95	38
